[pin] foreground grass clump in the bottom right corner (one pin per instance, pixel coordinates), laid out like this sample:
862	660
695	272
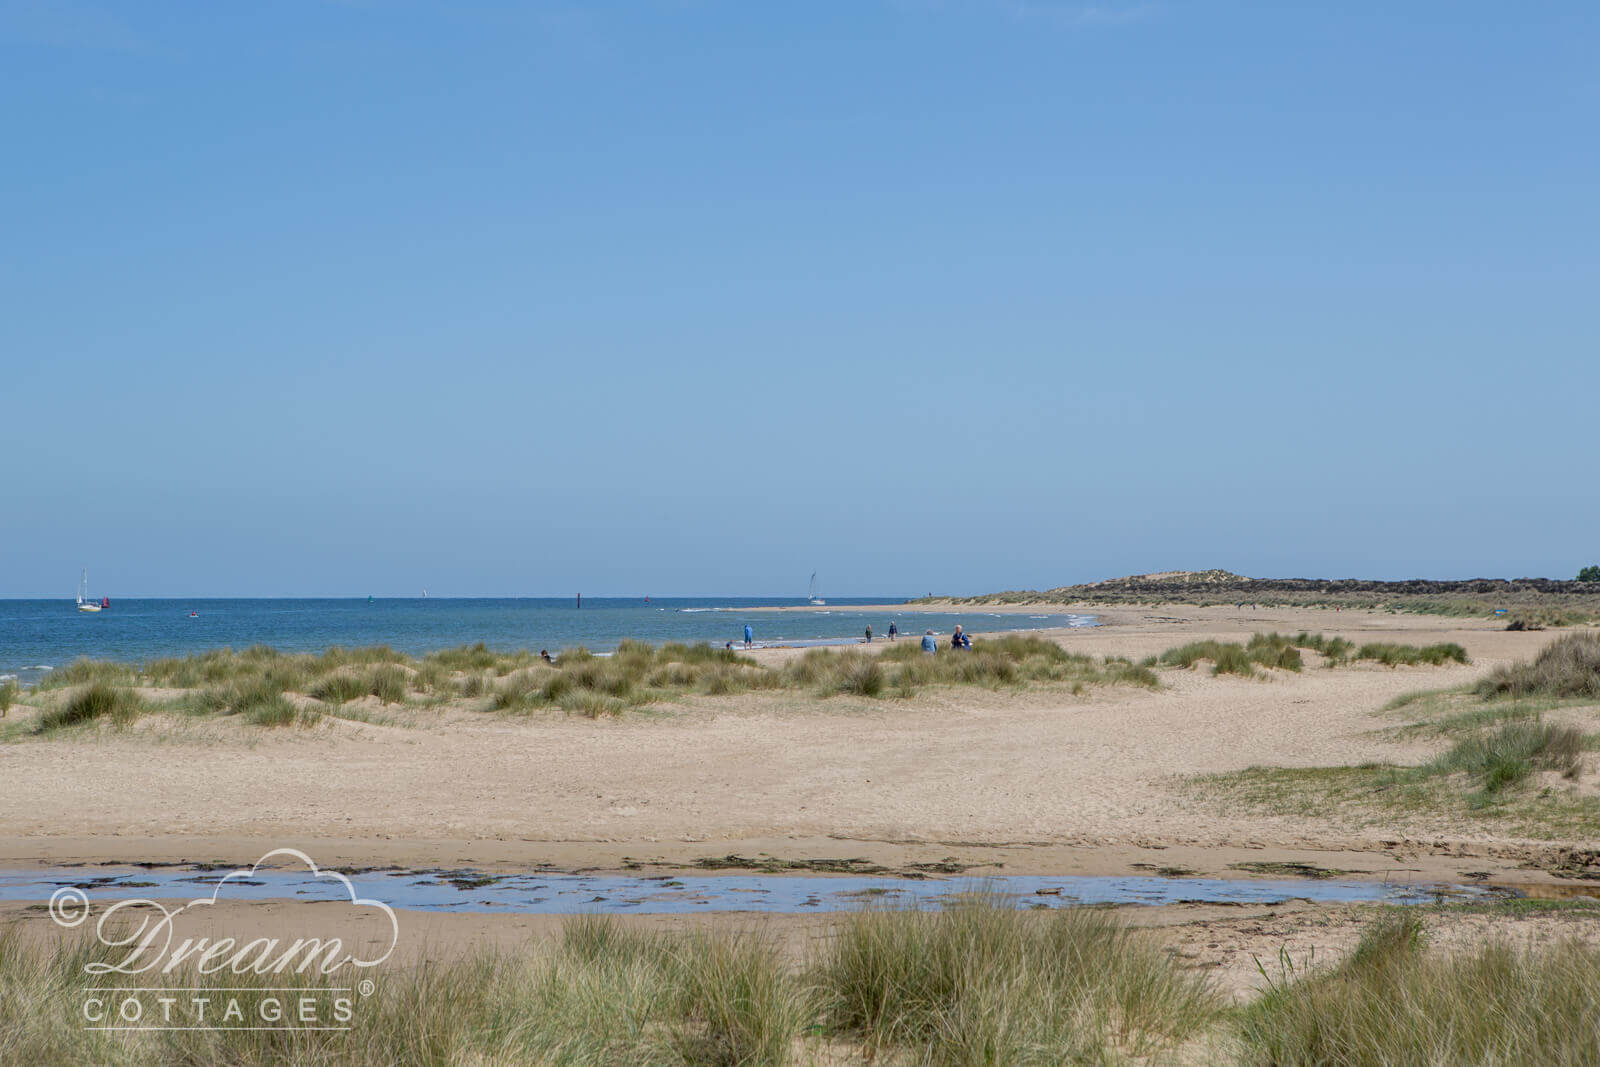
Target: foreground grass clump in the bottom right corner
1393	1002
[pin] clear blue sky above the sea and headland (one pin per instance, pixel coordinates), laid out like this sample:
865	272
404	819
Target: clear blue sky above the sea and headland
695	297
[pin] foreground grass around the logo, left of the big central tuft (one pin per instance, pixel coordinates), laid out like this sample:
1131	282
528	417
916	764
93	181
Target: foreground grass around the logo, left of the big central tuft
606	996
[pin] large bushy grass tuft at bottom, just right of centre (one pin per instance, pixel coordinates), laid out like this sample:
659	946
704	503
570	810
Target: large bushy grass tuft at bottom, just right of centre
988	985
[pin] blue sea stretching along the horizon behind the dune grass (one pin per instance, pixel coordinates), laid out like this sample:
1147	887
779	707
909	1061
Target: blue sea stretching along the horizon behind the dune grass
42	634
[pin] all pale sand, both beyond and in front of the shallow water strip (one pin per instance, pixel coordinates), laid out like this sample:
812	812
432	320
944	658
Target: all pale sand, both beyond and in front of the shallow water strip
1014	781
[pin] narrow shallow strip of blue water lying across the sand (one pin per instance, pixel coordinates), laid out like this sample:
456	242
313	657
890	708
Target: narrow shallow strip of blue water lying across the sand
567	895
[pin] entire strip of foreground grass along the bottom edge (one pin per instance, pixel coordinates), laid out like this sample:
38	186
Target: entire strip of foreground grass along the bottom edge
978	983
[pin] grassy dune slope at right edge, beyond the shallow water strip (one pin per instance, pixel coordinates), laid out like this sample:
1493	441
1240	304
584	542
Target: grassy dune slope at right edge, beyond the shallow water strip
1505	761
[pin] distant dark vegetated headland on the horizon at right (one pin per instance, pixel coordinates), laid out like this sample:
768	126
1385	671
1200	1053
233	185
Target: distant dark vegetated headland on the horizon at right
1537	601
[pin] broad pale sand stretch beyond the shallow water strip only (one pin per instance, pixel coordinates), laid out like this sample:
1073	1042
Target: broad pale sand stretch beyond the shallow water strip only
1034	780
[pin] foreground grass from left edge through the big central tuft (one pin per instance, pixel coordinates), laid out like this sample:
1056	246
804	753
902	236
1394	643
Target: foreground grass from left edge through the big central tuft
980	983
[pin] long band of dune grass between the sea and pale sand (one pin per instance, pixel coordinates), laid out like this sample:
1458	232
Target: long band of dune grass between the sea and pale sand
271	689
